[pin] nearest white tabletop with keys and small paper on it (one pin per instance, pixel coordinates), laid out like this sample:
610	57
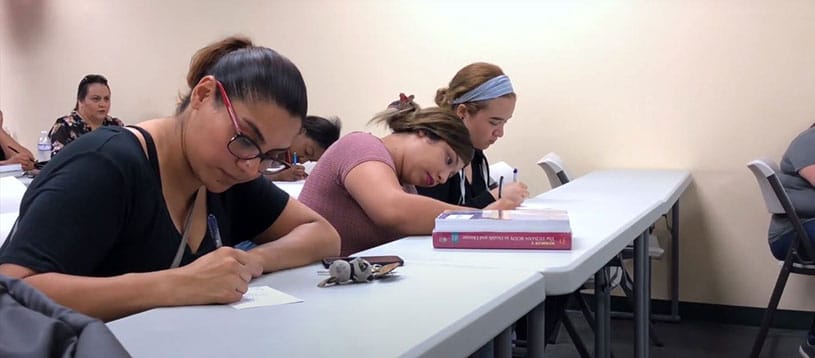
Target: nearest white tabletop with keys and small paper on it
423	311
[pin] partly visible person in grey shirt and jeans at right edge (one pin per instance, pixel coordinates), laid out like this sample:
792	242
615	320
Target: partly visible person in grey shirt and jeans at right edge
797	176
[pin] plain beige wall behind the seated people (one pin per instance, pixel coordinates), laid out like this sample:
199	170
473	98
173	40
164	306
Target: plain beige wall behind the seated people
704	86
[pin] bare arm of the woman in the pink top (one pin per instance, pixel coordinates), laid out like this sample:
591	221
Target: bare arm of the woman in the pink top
376	189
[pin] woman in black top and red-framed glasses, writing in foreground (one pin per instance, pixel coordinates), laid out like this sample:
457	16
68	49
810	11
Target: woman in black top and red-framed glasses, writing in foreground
172	195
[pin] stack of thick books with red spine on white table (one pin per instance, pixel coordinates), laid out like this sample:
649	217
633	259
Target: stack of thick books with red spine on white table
536	229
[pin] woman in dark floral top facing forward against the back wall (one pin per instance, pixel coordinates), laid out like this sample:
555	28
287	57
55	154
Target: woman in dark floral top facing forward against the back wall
90	112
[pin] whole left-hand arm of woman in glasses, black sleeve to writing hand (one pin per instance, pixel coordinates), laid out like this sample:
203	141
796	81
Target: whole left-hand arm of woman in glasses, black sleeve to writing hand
60	258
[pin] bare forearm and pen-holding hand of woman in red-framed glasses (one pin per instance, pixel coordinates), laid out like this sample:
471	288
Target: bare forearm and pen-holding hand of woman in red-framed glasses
219	277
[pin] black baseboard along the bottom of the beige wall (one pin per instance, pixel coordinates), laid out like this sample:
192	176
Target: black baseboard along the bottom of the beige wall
725	314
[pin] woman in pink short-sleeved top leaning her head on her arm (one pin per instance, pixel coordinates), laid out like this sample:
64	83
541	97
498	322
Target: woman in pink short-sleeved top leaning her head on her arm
366	186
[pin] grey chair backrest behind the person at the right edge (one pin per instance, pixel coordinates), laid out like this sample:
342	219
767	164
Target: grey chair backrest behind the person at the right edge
778	202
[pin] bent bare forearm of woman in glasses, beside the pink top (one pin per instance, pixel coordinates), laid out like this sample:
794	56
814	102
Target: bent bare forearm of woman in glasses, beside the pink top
298	237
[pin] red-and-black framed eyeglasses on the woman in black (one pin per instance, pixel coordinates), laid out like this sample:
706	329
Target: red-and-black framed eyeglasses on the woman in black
245	148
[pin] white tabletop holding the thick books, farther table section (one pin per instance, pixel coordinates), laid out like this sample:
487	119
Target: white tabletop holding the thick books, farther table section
607	210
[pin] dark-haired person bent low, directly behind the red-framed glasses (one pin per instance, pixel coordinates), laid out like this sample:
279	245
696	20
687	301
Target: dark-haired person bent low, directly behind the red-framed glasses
317	135
